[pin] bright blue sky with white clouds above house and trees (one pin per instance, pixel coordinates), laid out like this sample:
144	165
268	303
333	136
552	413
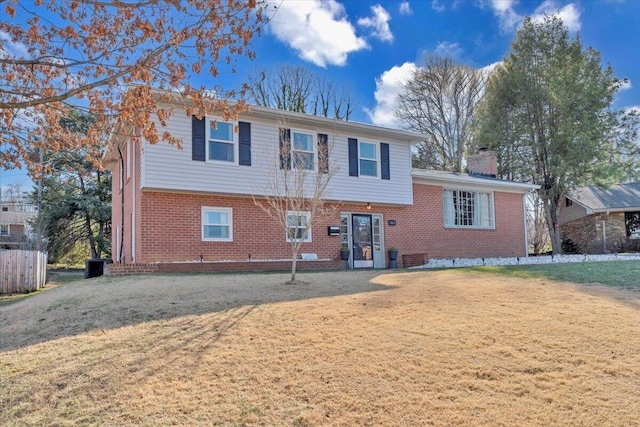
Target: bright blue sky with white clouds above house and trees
373	46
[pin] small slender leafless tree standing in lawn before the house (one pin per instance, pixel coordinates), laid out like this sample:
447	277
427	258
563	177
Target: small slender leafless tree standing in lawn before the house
295	187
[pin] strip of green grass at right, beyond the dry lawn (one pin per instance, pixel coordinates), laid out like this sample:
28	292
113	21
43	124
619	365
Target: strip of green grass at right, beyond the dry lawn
622	274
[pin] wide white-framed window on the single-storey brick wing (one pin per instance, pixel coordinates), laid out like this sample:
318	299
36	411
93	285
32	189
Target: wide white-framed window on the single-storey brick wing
468	209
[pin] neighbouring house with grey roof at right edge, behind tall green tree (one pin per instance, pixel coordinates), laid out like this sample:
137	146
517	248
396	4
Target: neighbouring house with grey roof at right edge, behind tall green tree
598	220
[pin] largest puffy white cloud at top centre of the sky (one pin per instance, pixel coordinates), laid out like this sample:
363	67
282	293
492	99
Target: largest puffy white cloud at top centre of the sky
317	29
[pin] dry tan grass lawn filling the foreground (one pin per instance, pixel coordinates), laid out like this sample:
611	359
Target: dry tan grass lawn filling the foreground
426	348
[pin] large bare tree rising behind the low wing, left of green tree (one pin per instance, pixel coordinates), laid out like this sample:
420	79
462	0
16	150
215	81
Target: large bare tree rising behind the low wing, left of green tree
439	101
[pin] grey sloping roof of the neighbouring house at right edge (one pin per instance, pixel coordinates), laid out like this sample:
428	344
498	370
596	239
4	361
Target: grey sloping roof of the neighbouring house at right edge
621	197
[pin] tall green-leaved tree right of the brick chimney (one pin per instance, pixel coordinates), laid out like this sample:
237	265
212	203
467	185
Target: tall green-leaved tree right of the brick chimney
547	112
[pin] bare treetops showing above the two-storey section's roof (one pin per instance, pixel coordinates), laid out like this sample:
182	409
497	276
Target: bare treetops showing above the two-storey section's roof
295	88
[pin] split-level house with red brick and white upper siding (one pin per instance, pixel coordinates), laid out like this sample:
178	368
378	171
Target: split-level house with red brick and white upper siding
181	210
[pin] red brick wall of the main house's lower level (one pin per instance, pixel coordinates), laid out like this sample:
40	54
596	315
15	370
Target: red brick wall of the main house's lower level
170	229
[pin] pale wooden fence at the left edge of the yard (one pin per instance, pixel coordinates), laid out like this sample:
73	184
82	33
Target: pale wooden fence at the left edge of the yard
22	271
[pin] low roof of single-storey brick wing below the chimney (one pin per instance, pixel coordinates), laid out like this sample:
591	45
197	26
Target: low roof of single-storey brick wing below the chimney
480	182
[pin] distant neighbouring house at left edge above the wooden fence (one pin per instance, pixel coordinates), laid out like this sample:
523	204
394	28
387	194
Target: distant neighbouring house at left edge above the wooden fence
14	224
